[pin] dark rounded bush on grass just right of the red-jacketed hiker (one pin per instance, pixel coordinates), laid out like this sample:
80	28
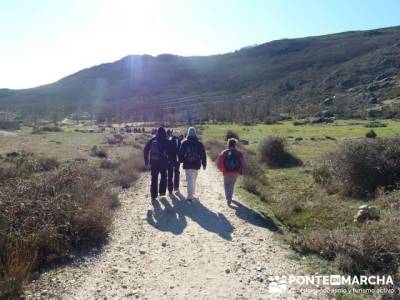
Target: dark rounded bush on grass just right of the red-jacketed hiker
273	151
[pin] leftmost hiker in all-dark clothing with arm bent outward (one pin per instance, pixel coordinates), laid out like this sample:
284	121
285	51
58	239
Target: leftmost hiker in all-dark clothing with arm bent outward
155	153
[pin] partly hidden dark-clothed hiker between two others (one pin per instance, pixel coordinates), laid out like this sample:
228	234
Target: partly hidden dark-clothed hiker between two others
174	145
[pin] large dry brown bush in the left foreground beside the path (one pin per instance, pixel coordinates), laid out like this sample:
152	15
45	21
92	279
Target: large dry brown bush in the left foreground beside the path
43	219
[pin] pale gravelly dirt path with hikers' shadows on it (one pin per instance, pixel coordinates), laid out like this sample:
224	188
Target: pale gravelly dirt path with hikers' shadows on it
173	249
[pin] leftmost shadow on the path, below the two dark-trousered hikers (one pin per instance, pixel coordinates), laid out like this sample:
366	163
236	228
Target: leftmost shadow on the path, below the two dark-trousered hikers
167	219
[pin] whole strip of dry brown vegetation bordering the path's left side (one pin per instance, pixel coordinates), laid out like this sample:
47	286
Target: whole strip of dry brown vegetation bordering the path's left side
51	211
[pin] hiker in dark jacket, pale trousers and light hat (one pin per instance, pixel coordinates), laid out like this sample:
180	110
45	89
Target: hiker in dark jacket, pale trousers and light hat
193	156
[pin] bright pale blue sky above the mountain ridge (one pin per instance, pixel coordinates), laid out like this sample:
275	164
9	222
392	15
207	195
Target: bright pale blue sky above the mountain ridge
45	40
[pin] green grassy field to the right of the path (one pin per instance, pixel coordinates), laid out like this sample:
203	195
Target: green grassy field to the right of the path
309	211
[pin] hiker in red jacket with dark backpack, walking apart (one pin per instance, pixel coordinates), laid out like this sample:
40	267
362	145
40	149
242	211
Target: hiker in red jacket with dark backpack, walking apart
231	163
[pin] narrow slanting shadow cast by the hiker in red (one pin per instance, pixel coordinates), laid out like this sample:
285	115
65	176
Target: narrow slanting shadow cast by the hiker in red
253	217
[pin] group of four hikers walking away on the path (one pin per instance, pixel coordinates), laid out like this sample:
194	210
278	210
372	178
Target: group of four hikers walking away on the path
167	150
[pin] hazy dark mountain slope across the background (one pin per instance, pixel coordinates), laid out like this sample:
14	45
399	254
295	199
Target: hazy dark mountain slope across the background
287	75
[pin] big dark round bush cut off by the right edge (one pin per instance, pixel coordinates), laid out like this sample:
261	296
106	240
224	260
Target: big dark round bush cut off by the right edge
361	166
